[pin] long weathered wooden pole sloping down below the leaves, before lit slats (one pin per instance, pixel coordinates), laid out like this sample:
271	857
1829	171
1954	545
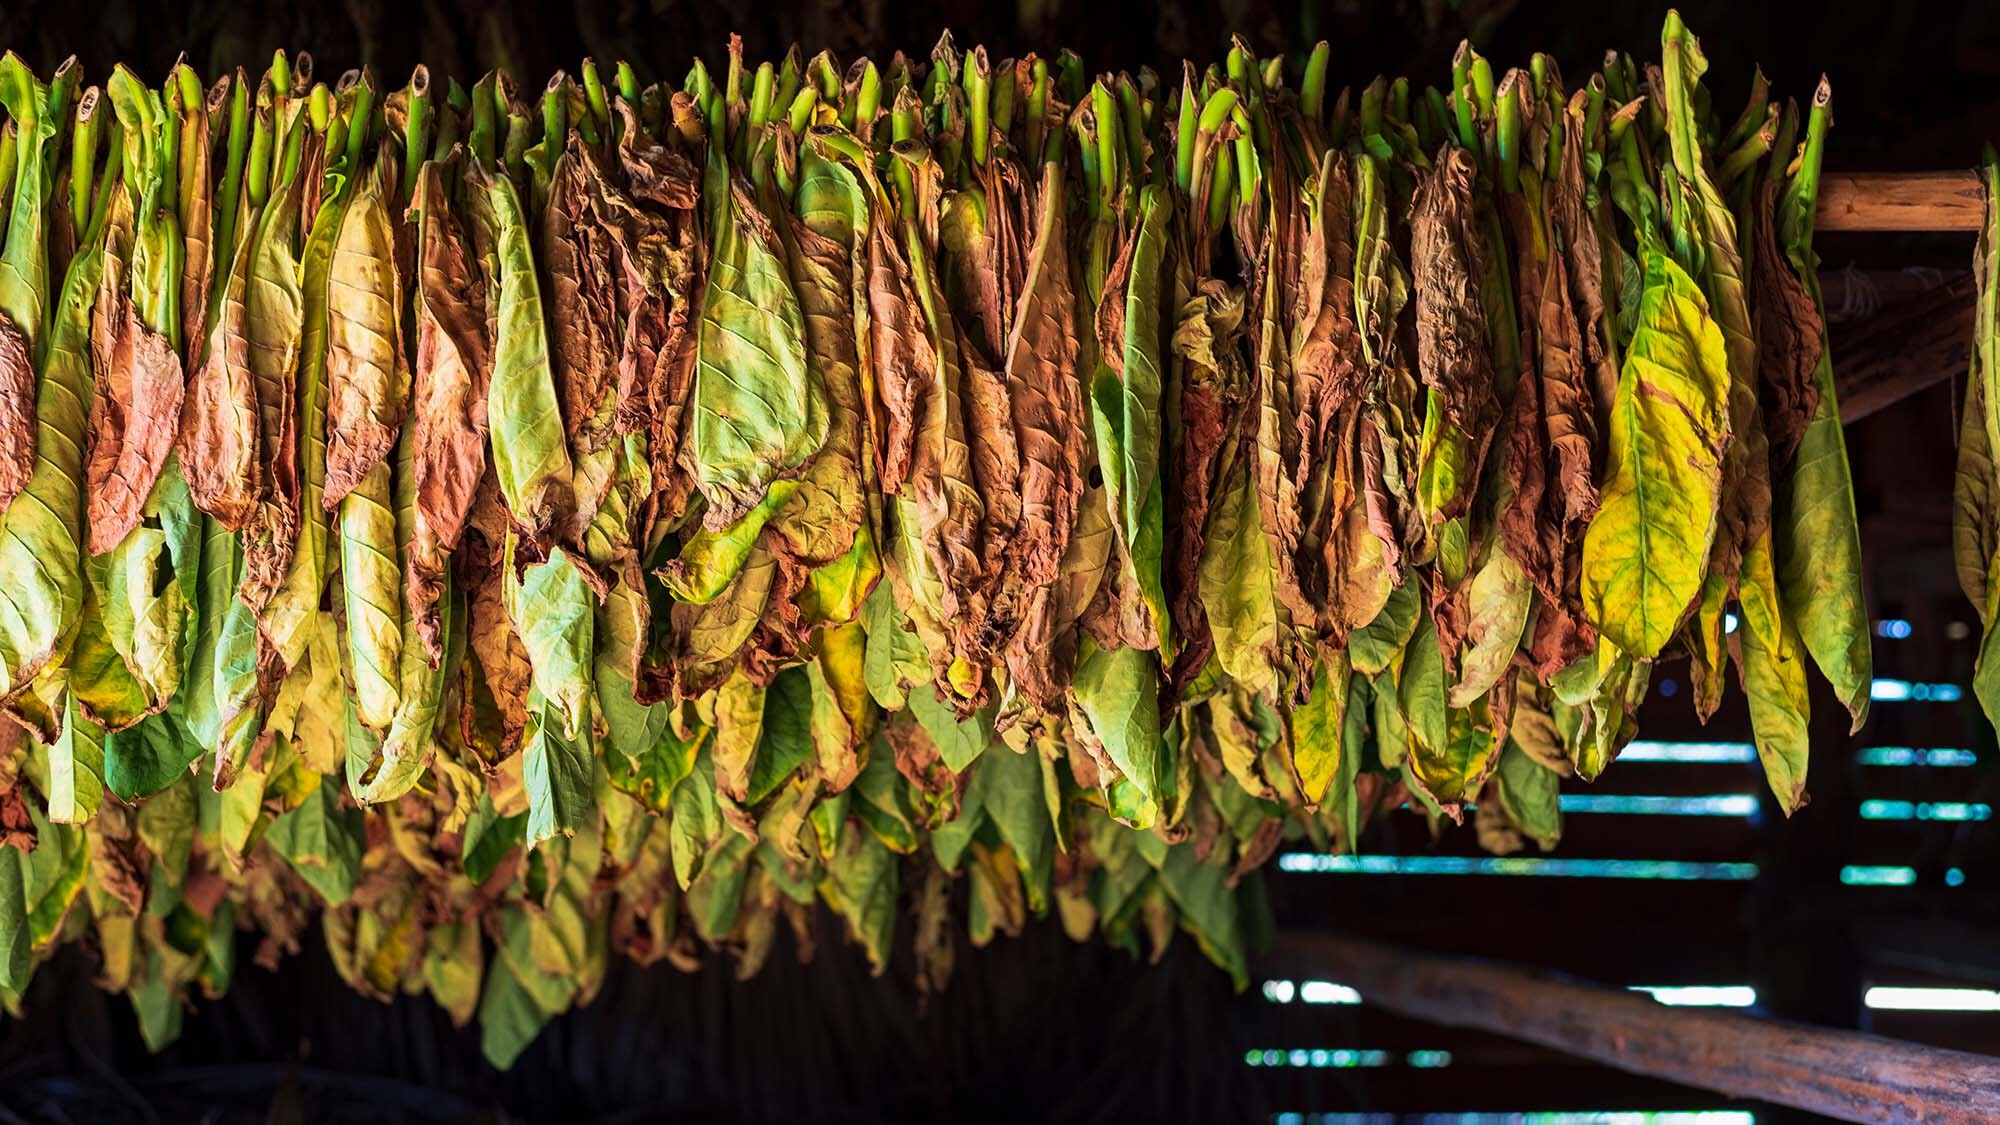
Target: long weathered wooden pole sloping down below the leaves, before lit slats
1839	1074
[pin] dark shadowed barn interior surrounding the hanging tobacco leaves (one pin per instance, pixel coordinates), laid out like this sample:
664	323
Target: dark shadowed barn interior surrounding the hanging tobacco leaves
1043	1030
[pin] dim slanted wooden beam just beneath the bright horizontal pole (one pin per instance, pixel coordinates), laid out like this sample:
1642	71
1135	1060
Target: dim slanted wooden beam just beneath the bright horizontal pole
1907	347
